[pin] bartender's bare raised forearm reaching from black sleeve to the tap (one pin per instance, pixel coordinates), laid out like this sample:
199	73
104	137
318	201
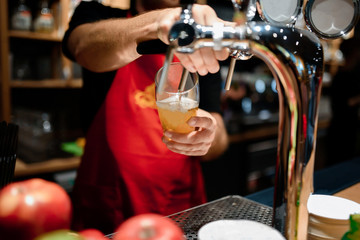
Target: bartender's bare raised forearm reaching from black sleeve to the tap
110	44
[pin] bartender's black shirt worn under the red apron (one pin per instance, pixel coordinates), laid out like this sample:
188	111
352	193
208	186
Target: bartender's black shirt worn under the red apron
96	85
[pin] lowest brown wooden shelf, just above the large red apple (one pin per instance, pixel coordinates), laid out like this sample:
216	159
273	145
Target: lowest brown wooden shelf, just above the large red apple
23	169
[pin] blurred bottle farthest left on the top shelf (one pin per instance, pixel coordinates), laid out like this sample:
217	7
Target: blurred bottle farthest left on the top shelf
21	18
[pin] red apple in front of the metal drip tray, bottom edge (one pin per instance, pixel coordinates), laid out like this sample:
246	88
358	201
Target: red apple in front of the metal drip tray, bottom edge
149	226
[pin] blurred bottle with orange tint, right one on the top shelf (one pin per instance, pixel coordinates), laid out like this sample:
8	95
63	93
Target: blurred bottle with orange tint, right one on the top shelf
44	21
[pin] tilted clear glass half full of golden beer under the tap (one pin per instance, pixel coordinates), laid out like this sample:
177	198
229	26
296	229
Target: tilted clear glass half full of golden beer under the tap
176	106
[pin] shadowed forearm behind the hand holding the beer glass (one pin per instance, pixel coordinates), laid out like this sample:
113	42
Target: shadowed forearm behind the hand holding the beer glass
221	141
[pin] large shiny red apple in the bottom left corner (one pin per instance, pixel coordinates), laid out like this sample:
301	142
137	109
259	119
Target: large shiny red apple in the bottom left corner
32	207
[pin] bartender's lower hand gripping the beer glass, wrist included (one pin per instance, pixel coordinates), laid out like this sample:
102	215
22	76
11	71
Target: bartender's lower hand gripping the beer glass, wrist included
209	141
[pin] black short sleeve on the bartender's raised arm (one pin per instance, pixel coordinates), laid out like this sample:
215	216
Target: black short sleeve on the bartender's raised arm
87	12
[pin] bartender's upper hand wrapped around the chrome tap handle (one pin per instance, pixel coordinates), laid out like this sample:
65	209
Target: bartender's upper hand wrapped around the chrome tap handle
204	60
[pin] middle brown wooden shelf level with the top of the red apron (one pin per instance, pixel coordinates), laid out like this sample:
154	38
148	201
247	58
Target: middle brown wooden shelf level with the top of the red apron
49	83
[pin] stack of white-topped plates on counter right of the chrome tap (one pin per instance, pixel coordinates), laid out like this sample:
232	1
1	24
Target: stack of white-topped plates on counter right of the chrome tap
329	216
